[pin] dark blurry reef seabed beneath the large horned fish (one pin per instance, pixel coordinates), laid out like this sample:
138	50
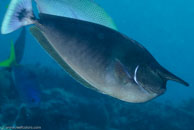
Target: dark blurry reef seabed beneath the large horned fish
66	105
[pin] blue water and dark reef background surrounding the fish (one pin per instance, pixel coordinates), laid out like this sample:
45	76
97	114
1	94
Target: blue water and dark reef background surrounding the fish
164	27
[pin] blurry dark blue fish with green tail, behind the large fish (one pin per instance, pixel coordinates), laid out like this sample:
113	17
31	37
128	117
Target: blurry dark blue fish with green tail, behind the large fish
24	80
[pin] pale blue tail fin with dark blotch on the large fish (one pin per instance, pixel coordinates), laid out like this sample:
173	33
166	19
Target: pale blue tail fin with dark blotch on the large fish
19	13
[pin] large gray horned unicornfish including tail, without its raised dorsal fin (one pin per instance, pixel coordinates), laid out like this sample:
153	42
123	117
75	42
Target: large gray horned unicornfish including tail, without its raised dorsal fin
98	57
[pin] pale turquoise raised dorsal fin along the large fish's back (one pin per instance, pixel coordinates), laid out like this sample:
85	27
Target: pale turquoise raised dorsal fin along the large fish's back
86	10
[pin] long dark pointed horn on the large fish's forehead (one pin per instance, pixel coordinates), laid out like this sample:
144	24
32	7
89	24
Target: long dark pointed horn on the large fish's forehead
169	76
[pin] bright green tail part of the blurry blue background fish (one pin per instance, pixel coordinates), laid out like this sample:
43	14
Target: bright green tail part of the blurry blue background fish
12	59
